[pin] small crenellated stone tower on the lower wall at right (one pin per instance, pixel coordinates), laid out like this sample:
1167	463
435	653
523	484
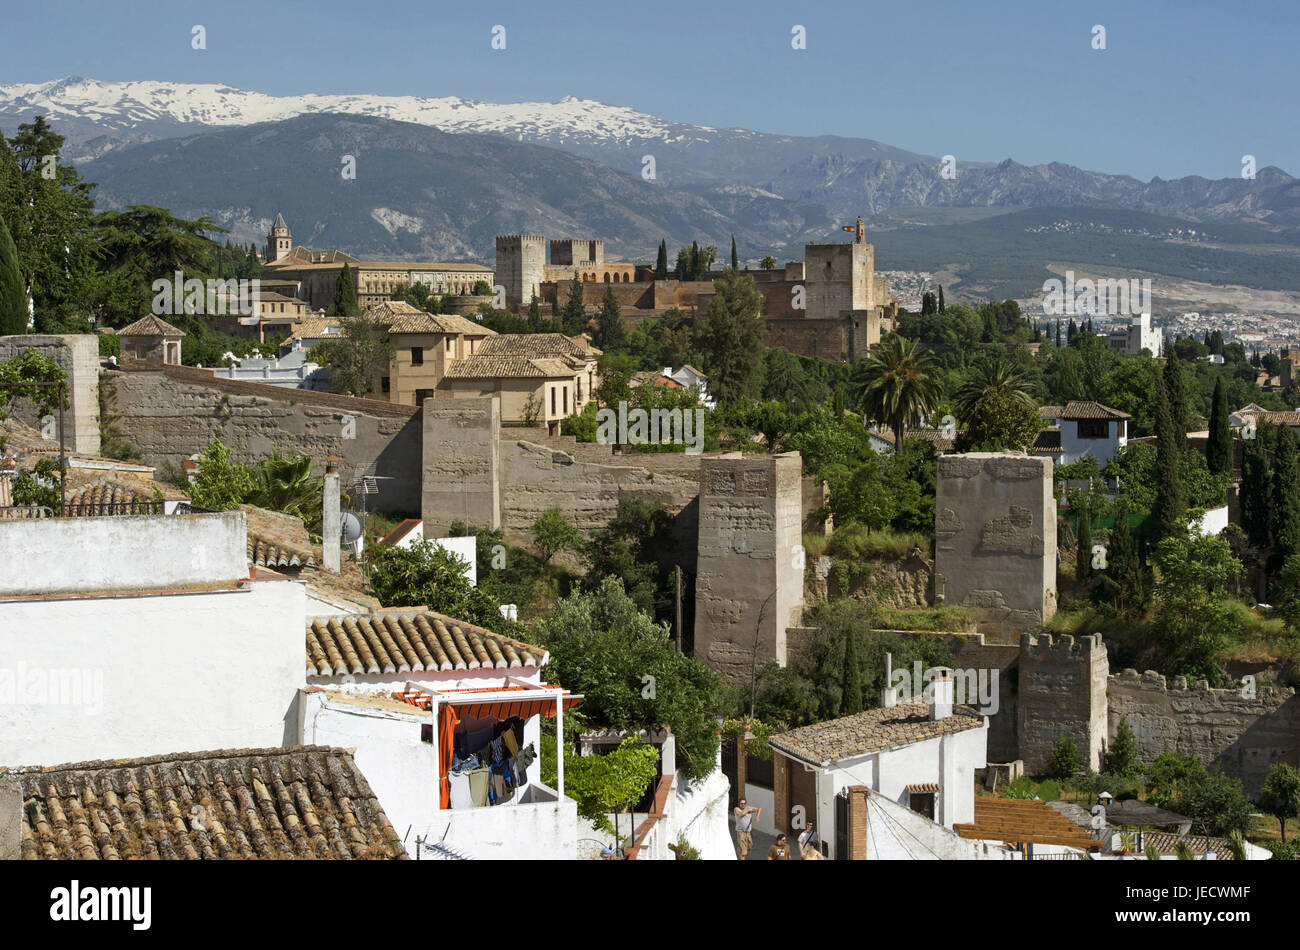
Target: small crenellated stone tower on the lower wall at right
1061	692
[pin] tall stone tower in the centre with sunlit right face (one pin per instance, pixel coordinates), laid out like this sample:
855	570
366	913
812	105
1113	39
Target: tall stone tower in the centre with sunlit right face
749	575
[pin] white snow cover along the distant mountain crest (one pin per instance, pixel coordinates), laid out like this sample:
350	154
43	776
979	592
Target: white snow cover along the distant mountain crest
119	106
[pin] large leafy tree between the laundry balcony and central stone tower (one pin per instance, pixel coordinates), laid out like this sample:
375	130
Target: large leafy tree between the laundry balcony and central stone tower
630	673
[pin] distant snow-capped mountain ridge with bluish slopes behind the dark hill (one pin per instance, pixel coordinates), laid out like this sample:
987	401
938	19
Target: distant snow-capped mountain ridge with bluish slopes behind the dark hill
97	118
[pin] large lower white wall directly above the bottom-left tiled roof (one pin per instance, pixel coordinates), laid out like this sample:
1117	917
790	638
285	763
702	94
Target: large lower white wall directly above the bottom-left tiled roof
158	673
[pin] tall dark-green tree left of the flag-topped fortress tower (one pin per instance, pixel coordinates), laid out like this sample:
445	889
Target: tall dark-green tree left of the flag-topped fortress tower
733	339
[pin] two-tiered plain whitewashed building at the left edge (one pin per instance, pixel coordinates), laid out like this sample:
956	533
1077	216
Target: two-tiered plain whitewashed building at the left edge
137	636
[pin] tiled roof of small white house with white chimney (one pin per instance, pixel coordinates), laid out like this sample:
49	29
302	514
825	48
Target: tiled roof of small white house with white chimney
873	731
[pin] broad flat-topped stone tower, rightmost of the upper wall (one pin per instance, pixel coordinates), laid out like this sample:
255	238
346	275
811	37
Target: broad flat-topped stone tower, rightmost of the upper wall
995	540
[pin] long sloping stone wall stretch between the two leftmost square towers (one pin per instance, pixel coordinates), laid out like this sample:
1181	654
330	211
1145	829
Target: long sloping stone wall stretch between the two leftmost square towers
175	414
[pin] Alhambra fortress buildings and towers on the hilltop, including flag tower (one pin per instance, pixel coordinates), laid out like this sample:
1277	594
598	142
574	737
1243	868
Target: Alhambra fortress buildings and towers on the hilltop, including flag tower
831	305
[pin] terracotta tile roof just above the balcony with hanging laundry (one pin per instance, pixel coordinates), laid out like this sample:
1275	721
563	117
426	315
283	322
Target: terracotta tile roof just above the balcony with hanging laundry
410	641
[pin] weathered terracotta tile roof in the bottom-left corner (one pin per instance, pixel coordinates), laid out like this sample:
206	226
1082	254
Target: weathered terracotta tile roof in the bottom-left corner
298	802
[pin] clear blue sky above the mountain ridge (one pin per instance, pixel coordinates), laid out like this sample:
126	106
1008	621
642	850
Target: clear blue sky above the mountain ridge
1184	88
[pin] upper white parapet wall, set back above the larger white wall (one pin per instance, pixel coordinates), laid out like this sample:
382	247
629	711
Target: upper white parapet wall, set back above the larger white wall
138	553
